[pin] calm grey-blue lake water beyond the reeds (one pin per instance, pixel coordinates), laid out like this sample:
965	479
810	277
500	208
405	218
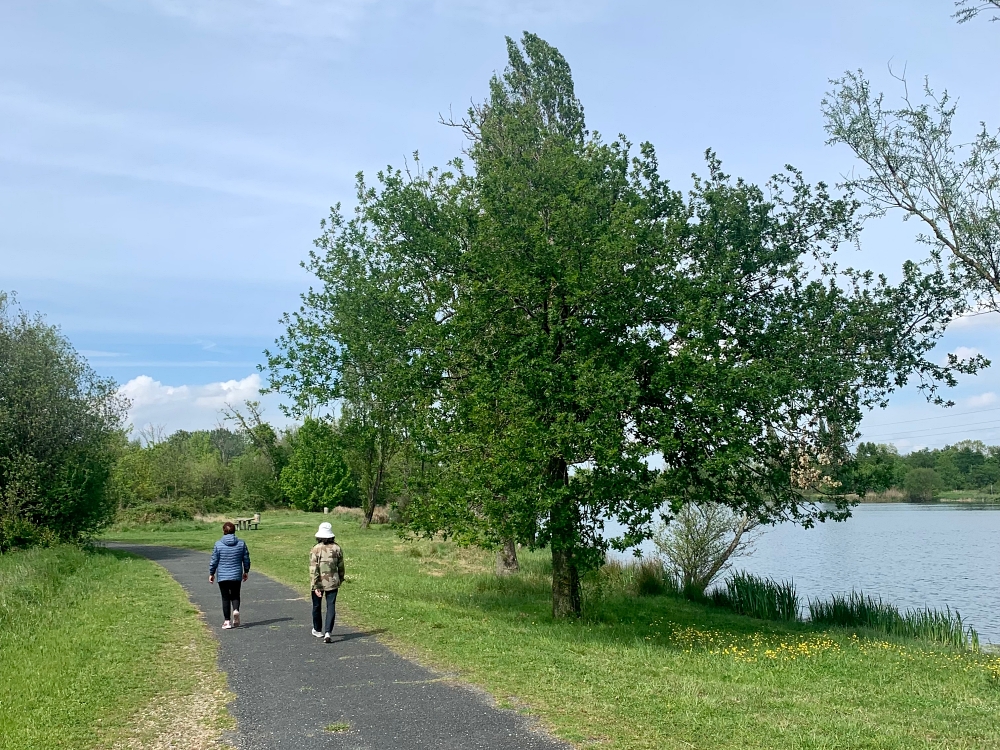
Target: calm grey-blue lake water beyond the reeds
910	555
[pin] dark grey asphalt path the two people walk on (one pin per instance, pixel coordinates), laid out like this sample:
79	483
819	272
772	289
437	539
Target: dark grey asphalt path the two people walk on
290	685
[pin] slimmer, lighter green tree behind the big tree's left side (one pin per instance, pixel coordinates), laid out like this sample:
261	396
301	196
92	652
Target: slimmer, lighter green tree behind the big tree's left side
350	343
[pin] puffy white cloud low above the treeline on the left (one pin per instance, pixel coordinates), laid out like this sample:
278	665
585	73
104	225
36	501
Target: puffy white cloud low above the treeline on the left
188	407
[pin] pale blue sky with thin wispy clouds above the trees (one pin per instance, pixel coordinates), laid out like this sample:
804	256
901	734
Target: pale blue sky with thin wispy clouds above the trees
164	164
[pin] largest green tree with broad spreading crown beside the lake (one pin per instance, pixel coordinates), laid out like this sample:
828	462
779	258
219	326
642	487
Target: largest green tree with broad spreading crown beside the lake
568	340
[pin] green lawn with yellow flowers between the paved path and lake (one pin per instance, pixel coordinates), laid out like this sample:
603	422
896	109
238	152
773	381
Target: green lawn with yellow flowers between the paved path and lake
639	671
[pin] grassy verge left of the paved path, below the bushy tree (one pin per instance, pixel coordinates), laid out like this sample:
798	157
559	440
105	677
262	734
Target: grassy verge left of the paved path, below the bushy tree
91	643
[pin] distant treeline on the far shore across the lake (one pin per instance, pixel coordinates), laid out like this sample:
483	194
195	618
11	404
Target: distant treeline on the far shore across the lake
922	475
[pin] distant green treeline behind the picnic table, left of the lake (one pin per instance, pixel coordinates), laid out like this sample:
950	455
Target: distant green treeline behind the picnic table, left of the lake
251	467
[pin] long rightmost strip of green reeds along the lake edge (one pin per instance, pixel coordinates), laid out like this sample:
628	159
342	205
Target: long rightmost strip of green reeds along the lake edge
858	610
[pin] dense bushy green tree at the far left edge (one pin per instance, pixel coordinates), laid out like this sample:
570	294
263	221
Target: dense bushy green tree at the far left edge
60	431
